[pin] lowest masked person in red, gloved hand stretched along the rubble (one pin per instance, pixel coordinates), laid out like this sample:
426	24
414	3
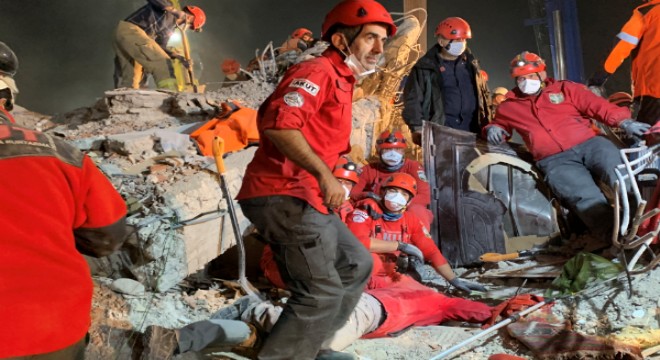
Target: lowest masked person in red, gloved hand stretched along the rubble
387	229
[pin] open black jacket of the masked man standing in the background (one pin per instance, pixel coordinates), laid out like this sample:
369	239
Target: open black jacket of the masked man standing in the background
424	103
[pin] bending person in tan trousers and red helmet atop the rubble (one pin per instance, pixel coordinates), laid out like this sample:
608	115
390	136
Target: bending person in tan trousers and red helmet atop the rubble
142	39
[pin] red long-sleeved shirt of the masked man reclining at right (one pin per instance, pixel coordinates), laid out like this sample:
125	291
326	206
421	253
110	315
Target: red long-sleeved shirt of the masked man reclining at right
557	119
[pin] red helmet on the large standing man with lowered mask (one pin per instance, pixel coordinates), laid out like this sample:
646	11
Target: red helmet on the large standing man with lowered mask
355	13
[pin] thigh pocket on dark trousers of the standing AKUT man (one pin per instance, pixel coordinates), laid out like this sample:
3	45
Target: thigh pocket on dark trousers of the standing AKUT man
307	259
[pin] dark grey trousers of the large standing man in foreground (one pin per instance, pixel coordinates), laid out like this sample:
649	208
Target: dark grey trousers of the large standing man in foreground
322	263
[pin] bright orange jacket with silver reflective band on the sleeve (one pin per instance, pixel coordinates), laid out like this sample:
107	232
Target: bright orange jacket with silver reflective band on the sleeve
641	37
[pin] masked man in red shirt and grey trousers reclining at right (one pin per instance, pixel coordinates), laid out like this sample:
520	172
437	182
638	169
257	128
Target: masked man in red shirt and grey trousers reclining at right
553	119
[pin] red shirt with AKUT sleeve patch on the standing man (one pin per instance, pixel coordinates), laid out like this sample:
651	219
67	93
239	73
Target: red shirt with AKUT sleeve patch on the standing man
314	97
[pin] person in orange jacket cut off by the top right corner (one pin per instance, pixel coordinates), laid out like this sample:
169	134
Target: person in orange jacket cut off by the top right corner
640	36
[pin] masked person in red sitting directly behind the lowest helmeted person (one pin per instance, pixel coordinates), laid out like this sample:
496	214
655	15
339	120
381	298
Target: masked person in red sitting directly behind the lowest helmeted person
391	147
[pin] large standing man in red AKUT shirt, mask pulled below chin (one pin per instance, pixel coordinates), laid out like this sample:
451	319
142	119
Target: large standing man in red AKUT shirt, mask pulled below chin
288	187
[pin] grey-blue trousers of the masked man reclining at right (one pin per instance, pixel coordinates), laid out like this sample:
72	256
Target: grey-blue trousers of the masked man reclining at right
573	175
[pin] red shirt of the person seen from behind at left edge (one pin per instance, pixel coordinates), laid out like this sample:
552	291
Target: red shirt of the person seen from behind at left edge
55	204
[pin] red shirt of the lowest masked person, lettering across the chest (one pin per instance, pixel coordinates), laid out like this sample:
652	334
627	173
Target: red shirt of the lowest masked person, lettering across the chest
408	229
